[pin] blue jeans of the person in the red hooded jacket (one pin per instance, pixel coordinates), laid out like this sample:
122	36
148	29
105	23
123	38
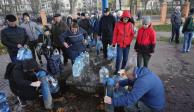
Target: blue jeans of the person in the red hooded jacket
122	55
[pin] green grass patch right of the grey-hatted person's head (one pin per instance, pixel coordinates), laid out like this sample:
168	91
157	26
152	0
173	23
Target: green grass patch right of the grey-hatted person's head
163	28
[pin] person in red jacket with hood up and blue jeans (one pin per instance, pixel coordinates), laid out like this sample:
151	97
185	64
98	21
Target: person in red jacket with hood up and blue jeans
123	36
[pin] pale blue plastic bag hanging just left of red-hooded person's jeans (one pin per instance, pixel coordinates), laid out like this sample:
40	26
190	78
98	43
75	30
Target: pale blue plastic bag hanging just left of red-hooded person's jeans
111	52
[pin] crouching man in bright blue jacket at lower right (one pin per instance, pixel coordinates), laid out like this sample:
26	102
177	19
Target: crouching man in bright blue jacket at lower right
147	90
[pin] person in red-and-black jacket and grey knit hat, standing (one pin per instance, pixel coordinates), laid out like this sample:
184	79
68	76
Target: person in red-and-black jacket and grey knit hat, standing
145	43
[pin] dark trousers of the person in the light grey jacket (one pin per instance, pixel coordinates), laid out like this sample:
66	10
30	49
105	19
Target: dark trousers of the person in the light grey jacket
32	46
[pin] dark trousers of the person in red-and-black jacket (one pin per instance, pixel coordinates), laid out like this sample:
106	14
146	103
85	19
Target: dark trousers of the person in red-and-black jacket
143	56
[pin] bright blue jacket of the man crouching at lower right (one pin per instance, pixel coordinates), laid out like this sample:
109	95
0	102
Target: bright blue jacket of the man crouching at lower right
147	87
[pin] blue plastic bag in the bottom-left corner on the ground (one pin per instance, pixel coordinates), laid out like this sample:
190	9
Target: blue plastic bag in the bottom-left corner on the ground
4	107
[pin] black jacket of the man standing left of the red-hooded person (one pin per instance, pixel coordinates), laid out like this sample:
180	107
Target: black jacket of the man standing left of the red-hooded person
106	27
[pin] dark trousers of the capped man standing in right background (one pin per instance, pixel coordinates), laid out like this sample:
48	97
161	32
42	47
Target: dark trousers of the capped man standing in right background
175	33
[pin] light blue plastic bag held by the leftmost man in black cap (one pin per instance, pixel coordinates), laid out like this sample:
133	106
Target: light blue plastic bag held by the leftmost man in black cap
24	54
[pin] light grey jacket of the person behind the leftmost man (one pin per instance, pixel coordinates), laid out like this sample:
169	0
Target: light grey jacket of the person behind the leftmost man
32	30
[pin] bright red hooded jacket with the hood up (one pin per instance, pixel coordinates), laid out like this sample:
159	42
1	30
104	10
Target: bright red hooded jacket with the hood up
123	32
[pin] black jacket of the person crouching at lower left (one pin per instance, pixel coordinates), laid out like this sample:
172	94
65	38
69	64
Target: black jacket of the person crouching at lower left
21	80
